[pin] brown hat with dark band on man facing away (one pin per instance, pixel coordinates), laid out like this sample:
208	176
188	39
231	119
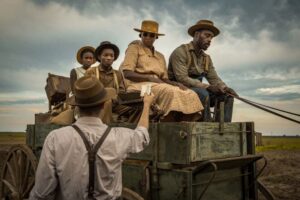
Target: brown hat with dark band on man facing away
89	92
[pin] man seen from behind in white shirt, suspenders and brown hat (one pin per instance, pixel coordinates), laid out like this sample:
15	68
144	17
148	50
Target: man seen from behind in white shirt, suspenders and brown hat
68	170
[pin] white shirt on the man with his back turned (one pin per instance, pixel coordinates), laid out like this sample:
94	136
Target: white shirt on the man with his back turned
63	170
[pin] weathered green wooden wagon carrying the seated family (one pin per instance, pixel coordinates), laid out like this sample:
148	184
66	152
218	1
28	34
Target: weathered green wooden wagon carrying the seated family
185	161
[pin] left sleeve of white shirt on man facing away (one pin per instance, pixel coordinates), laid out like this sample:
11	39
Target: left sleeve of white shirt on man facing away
45	178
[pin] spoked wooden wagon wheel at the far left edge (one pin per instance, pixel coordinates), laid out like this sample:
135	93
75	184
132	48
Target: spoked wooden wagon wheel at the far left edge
17	175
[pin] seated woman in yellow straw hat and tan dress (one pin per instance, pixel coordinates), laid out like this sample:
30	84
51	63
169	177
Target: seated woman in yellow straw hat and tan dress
144	65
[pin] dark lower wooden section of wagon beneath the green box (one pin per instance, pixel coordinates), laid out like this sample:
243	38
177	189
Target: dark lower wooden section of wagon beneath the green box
231	182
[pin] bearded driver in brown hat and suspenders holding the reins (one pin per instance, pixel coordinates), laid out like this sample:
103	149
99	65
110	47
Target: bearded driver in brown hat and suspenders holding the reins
189	64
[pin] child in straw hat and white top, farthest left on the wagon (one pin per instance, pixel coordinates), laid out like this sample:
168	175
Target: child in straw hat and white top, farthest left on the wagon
85	56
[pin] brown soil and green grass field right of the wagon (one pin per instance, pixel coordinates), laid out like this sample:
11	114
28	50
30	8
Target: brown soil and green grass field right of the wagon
282	174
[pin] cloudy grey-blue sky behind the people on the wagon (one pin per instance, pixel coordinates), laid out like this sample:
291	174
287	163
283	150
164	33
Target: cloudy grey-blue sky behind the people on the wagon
257	52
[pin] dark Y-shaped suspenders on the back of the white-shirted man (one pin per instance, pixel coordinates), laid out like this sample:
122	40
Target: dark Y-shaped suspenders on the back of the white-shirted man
91	156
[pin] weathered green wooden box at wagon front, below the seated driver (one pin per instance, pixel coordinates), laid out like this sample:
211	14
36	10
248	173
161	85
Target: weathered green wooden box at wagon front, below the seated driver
188	142
